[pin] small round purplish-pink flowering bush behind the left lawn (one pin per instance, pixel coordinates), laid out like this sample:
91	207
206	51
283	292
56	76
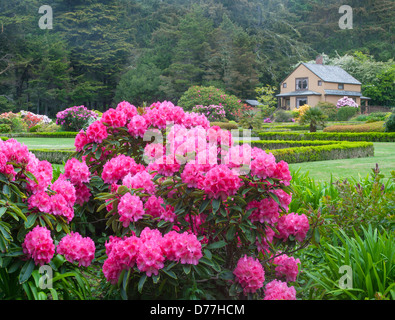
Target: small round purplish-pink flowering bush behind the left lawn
75	118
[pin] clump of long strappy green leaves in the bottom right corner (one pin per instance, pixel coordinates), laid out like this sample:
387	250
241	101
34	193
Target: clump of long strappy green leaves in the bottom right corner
371	259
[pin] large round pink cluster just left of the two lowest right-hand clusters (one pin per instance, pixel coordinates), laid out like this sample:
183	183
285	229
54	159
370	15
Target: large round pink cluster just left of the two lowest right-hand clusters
250	274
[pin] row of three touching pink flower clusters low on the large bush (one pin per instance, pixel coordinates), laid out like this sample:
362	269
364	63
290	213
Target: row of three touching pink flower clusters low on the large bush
149	252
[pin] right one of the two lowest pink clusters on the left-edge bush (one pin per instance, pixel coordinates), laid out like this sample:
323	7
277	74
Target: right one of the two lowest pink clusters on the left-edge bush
74	247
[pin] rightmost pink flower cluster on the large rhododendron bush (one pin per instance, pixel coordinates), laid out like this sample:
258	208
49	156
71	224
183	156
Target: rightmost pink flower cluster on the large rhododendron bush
293	224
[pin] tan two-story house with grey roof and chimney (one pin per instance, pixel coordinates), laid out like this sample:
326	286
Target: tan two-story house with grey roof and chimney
311	83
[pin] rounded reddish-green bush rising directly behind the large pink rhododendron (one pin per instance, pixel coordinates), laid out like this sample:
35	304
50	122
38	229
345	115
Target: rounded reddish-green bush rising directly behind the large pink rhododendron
200	95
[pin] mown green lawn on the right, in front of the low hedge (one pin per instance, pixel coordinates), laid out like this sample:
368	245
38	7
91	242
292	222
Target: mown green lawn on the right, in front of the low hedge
384	155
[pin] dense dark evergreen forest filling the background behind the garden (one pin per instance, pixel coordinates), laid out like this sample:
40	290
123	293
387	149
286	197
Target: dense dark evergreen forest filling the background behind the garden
100	52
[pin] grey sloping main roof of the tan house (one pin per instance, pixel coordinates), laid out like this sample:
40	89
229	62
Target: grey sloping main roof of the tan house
331	73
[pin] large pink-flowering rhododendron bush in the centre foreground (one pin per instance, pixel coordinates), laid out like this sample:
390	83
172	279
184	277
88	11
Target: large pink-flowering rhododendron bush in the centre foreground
182	197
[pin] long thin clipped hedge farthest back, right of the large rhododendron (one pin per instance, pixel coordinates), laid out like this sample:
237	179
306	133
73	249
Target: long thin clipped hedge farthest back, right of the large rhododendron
337	136
